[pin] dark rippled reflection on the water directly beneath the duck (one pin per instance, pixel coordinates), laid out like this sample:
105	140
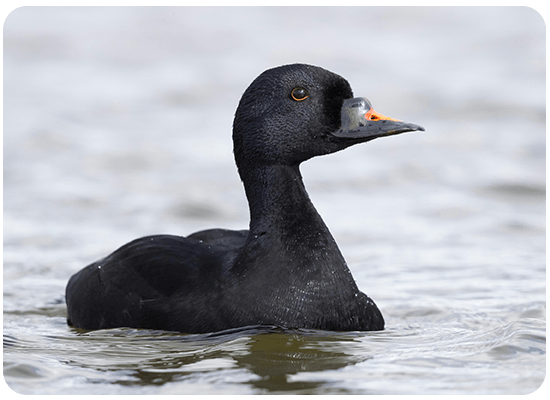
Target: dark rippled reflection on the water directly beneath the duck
265	356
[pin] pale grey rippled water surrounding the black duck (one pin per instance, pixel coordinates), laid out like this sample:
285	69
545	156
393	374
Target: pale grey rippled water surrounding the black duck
117	125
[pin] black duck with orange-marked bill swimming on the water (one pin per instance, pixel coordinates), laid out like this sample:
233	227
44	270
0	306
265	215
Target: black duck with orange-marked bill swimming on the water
286	270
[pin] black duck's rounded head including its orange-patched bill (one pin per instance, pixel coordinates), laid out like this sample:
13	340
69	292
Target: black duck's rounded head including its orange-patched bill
294	112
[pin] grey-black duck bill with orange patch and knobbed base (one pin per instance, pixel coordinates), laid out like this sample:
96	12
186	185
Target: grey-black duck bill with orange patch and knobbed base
362	123
